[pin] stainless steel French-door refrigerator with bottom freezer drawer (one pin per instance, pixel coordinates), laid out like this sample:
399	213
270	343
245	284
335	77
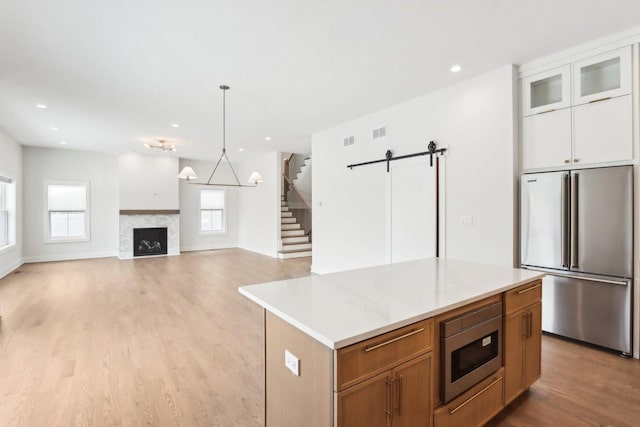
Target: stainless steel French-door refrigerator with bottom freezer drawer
577	226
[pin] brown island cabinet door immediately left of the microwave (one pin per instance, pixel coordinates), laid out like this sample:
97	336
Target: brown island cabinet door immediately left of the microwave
412	393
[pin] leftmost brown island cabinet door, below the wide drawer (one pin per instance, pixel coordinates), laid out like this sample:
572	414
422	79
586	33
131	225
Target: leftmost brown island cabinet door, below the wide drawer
367	404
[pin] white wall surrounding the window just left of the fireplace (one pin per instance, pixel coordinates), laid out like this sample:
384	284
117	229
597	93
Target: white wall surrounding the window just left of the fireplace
101	170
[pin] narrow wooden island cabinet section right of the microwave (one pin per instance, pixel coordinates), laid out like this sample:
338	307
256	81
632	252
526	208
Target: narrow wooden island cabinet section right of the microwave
522	339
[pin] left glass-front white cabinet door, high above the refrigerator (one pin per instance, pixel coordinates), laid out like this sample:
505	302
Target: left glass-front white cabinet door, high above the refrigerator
547	91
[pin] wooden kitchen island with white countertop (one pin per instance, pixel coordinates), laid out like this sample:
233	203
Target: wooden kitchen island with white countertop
362	347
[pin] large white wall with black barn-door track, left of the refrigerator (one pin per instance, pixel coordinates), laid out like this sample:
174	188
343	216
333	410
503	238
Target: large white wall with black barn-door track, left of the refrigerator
352	208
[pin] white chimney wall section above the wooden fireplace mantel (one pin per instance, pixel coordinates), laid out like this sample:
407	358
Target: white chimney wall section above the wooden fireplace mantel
148	182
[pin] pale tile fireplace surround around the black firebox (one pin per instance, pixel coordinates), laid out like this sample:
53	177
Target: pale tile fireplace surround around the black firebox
130	219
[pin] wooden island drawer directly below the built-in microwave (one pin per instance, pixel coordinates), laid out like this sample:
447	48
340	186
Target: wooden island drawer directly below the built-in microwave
475	407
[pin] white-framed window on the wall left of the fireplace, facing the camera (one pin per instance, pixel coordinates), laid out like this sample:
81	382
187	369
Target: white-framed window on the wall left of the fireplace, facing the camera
67	211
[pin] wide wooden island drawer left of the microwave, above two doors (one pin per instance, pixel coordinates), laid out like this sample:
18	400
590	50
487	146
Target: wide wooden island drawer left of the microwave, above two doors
373	356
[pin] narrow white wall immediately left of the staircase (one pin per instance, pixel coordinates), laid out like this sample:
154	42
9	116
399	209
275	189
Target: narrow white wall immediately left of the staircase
259	208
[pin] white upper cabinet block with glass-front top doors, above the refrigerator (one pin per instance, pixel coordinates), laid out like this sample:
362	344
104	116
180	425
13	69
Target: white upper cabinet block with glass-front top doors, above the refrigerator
580	113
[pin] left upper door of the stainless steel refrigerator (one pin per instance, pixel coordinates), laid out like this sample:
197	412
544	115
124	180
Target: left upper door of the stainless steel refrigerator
541	219
